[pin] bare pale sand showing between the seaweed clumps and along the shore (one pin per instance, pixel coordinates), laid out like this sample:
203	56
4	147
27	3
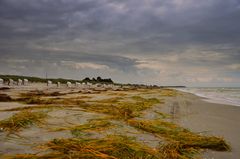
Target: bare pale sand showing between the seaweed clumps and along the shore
186	109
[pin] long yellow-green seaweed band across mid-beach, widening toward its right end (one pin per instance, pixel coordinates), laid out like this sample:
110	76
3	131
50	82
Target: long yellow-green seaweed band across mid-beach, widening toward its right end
115	107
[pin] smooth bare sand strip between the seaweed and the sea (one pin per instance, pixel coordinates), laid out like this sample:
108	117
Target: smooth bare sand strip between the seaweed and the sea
193	112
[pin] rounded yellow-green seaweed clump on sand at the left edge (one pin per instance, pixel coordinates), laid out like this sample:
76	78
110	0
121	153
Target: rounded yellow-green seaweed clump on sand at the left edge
21	120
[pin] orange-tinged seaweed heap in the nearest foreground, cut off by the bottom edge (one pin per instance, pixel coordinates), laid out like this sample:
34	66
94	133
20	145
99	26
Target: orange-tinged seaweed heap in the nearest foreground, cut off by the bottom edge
111	147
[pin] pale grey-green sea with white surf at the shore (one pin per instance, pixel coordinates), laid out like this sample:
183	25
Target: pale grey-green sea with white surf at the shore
222	95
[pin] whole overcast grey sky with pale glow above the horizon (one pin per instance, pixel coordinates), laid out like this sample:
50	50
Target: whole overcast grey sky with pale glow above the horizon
165	42
